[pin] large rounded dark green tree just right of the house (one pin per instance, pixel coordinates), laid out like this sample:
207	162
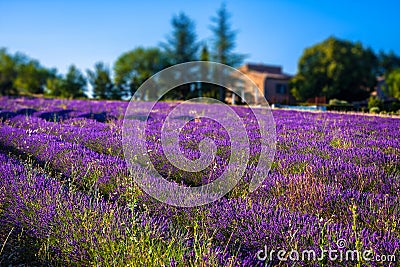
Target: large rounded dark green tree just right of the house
336	69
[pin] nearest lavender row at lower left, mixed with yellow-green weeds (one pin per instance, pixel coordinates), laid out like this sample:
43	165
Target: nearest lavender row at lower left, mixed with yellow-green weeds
79	230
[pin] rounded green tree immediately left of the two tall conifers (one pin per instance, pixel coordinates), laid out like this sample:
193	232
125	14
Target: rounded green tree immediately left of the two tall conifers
134	67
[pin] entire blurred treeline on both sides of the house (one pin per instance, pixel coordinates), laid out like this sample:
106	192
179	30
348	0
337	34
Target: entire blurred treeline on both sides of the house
333	69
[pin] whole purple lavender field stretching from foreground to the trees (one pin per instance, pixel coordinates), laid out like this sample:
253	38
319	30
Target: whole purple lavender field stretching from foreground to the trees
67	197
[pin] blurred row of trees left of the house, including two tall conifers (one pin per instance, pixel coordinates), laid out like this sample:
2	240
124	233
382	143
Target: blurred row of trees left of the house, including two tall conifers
21	75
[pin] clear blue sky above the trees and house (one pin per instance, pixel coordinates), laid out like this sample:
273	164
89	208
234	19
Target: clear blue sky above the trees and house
59	33
